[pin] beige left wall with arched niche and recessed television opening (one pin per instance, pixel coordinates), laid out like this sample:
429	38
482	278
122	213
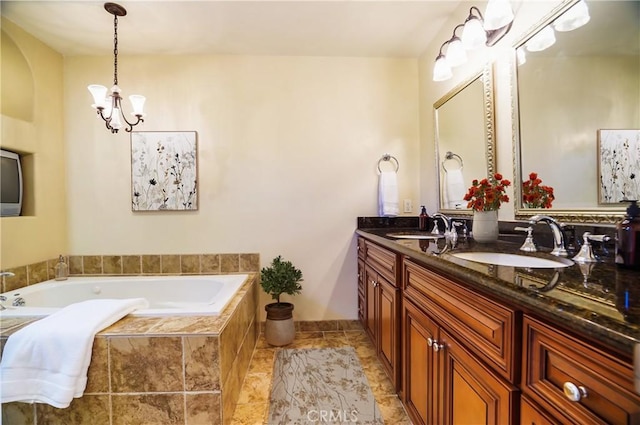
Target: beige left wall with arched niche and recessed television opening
33	124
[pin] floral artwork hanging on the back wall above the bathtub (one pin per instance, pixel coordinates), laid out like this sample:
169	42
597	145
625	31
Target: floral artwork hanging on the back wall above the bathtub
164	171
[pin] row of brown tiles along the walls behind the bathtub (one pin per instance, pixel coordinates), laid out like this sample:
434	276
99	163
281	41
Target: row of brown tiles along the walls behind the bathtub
115	265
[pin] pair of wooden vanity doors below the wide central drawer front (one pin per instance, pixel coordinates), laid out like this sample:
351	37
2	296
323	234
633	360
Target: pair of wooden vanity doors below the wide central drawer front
444	381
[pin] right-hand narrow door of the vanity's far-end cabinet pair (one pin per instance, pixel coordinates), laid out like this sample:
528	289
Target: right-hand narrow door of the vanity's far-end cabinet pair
388	343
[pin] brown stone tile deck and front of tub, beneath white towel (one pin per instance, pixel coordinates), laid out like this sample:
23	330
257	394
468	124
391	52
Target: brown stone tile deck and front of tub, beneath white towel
159	370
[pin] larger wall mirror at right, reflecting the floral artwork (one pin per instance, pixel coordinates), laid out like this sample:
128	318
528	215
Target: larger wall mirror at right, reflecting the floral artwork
577	110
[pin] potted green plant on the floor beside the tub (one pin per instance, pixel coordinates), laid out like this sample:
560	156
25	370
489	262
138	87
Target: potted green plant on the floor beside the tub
281	277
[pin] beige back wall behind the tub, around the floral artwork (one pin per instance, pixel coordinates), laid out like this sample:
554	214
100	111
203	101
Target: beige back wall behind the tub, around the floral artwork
287	152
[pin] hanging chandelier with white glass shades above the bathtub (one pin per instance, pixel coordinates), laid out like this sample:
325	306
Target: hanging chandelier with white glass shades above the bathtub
109	108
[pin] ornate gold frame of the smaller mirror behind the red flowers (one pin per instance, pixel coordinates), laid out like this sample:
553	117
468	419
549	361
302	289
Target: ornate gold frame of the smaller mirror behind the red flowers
486	78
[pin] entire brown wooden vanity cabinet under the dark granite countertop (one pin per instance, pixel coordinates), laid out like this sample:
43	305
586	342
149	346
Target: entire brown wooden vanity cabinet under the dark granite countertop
457	356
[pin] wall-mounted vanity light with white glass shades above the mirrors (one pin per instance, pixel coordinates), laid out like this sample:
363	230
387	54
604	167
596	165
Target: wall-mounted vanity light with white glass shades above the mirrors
475	33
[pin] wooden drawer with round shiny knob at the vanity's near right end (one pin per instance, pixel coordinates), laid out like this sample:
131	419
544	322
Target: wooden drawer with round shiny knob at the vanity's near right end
553	360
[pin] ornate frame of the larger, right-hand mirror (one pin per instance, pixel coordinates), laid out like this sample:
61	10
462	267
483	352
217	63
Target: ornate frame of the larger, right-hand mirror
595	215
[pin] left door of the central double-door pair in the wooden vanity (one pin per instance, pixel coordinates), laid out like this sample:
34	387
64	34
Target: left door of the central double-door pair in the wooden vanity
418	380
